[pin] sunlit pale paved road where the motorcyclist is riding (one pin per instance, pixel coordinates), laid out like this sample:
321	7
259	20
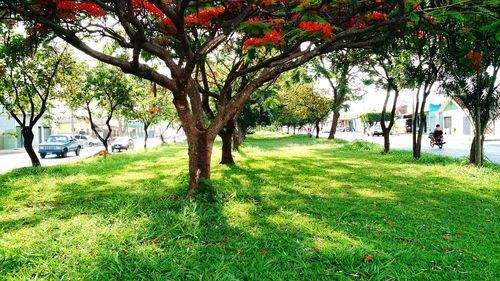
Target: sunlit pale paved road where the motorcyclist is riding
455	146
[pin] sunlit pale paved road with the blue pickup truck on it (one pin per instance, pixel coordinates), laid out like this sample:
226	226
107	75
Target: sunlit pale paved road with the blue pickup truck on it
21	159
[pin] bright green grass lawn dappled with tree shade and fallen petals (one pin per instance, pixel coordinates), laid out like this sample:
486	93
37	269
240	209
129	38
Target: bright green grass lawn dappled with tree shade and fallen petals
293	208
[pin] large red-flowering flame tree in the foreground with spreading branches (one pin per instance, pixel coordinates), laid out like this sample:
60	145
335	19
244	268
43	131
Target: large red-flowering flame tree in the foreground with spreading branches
265	38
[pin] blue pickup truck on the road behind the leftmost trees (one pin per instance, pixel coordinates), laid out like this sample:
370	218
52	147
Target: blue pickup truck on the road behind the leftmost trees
60	145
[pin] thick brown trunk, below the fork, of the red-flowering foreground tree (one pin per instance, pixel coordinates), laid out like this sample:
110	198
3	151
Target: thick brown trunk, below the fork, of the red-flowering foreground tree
200	154
